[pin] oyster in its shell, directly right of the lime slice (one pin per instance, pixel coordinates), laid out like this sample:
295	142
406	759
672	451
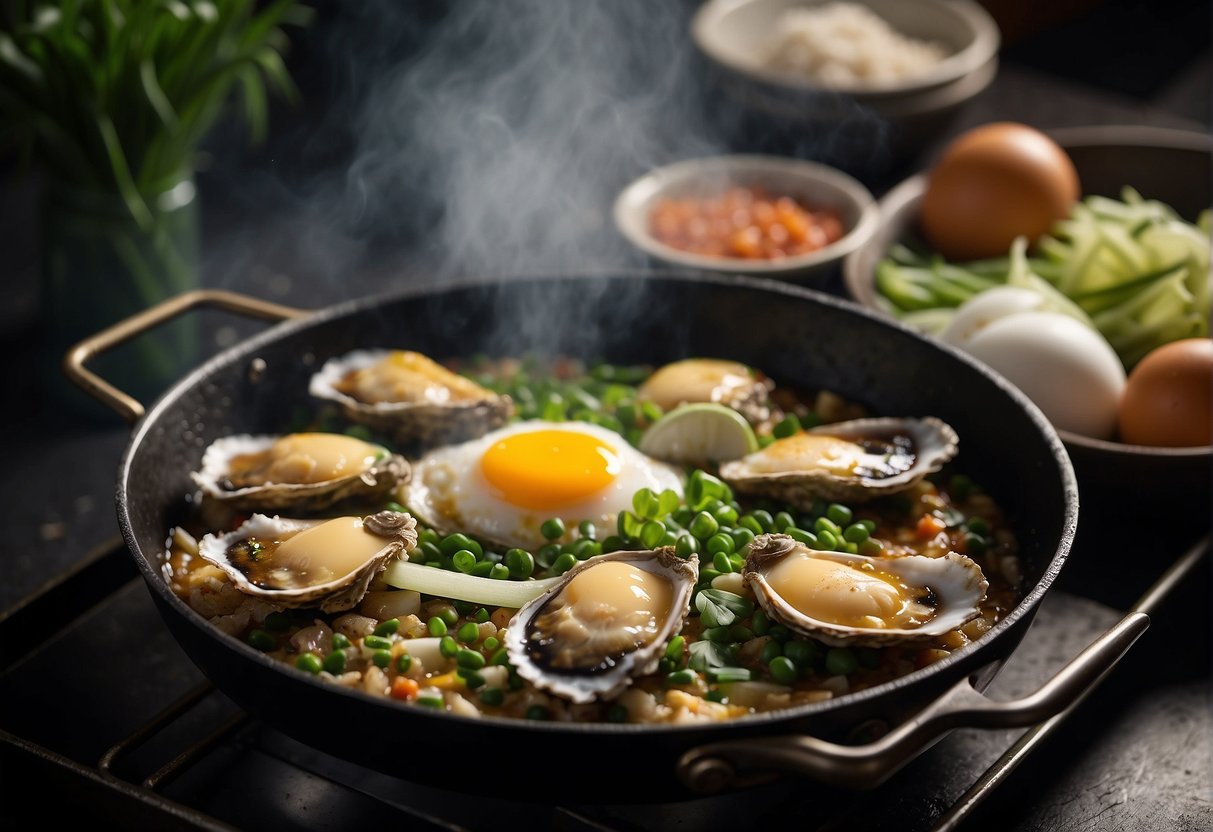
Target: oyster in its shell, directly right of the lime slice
851	461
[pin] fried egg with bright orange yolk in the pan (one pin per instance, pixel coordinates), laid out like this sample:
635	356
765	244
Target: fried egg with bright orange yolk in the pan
505	485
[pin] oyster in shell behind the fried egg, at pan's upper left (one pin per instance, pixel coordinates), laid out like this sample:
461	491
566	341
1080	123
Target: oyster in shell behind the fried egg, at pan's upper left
409	397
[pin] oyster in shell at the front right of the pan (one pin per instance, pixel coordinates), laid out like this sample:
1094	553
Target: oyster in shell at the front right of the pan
852	600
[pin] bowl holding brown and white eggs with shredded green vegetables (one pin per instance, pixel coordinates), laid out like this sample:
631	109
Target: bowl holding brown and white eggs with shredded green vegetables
1075	264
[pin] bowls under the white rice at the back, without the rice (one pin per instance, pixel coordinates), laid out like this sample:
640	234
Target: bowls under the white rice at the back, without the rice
891	122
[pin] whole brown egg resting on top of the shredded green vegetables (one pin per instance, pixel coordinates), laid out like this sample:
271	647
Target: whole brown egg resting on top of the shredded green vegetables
994	184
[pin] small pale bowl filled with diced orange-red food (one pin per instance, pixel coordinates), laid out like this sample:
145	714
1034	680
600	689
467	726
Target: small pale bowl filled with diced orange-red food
764	215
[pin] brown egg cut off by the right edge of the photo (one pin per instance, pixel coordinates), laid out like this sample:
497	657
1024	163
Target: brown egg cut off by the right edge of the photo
1169	397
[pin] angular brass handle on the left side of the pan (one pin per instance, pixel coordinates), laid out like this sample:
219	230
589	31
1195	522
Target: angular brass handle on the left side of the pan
124	330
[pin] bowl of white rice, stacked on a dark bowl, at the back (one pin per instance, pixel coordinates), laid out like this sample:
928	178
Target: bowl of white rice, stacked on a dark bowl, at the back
859	84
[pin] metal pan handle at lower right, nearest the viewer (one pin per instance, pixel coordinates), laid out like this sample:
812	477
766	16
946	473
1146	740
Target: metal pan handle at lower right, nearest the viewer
738	763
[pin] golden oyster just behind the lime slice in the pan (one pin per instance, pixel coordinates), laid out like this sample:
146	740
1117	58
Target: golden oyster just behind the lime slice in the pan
710	380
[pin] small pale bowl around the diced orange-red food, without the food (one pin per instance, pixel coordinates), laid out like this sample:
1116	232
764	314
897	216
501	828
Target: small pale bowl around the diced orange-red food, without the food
813	185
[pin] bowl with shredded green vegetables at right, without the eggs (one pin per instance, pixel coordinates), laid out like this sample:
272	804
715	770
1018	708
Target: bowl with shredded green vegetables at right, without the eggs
1132	263
